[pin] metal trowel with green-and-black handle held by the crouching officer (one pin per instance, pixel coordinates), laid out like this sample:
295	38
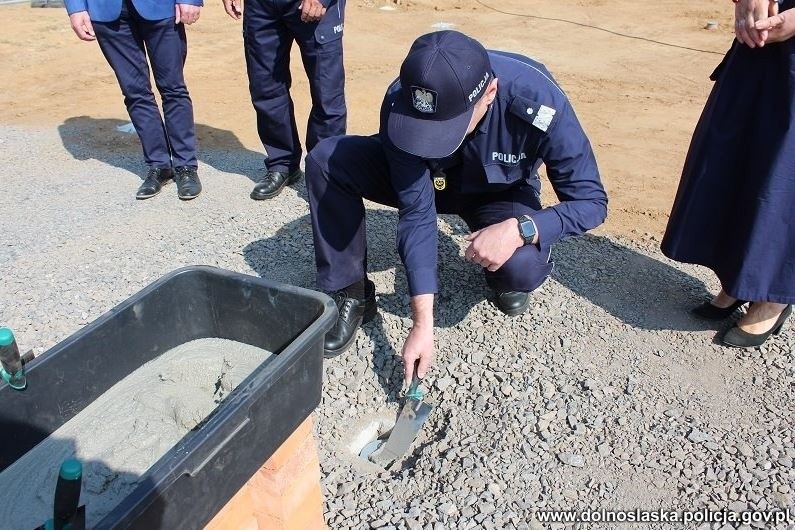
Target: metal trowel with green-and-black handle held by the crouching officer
408	424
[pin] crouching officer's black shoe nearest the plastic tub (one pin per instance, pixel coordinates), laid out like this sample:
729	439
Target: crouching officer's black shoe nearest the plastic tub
352	314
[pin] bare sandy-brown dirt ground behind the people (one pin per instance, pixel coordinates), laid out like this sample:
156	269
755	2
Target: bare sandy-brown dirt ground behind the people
637	77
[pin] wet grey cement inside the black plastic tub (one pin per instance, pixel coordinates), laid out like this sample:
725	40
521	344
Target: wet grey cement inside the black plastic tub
126	430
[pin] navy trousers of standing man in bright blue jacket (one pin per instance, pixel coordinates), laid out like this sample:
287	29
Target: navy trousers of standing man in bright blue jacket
126	43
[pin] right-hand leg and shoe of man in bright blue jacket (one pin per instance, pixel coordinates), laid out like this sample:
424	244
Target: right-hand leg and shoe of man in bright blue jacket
167	47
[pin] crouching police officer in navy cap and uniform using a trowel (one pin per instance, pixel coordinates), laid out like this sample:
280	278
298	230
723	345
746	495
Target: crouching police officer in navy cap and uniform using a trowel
463	131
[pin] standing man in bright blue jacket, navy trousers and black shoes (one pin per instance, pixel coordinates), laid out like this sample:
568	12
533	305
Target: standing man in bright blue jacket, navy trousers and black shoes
129	32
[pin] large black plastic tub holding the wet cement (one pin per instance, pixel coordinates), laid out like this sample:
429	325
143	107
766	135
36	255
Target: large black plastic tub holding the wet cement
195	479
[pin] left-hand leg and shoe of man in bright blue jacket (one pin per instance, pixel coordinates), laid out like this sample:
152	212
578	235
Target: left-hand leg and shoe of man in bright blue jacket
122	45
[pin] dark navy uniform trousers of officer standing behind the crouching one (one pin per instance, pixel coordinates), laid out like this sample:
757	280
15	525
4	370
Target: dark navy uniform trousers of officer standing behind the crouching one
269	29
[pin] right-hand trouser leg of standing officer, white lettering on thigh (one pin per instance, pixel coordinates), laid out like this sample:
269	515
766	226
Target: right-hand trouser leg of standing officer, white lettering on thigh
321	52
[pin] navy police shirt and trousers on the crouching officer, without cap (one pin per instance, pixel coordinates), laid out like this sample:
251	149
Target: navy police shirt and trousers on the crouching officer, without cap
491	177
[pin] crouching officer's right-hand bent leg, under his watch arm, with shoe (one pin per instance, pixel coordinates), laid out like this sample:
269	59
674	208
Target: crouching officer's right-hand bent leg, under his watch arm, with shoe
527	269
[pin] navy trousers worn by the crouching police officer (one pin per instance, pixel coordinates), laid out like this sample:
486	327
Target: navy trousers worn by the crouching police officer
341	171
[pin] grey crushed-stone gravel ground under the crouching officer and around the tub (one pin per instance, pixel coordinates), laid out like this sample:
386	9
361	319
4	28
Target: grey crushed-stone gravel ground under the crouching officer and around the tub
606	394
